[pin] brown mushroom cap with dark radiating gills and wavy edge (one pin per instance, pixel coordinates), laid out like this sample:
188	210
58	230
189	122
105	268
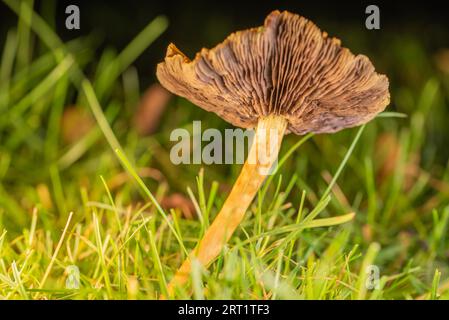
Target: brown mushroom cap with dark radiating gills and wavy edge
287	67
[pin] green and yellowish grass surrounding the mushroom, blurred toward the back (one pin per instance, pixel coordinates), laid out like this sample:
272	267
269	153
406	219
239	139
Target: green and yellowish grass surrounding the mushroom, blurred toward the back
337	206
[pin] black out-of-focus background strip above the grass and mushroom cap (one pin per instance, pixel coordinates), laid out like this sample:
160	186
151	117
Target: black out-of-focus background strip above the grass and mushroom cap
201	23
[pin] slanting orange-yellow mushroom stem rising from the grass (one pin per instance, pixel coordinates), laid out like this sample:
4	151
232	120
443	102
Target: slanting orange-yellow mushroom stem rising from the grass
261	158
